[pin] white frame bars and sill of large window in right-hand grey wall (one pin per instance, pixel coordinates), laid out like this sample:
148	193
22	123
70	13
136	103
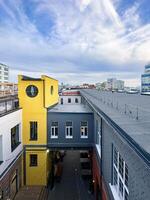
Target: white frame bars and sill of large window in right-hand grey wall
115	188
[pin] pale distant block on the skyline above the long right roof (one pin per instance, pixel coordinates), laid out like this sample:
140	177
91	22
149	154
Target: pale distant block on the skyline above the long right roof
114	84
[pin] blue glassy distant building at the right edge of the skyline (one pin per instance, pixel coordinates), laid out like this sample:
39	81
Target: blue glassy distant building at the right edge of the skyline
145	80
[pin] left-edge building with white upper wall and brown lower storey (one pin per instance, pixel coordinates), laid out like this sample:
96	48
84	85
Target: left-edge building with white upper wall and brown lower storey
10	147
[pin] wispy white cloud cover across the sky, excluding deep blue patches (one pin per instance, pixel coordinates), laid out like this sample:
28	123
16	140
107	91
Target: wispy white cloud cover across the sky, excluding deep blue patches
84	33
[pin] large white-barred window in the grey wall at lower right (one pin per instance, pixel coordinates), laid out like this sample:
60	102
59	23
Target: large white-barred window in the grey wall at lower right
120	175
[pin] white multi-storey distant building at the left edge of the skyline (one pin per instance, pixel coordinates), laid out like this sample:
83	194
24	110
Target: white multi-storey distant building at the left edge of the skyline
4	73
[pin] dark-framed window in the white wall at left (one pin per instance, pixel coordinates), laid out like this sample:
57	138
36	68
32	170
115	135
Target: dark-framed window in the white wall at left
14	137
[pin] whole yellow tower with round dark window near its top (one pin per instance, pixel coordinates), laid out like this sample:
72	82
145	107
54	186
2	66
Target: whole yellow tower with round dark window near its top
35	96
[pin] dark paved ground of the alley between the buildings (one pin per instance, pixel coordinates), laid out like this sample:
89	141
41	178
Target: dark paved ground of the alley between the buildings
72	186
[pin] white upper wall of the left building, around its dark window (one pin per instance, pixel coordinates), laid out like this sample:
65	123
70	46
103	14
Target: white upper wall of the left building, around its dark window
6	123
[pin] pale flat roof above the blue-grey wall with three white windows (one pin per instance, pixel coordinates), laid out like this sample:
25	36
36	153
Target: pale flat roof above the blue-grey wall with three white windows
72	108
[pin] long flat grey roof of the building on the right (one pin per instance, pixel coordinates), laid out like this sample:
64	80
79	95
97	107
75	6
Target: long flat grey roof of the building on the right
131	112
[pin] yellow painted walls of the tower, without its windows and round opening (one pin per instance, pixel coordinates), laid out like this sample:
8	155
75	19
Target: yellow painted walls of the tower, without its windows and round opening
35	109
